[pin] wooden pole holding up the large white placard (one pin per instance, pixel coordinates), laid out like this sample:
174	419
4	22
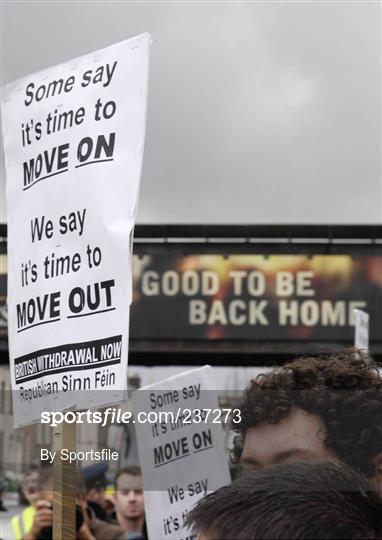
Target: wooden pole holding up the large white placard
64	484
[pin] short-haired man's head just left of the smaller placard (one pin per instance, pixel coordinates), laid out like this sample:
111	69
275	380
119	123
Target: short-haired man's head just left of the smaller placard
129	500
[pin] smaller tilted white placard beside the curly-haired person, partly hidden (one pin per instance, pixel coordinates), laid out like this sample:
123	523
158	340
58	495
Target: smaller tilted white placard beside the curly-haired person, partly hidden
181	450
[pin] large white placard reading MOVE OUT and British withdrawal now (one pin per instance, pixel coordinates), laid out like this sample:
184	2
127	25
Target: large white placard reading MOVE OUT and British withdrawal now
73	139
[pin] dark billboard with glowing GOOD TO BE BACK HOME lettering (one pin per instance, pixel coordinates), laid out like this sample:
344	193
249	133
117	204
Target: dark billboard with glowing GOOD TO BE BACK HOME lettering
255	297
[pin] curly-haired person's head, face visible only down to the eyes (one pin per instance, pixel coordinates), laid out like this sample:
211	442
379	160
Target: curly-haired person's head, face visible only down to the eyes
329	407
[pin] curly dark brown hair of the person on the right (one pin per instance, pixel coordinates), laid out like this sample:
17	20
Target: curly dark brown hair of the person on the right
343	389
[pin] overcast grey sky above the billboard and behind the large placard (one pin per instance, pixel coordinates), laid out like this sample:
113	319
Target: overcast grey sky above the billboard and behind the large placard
258	112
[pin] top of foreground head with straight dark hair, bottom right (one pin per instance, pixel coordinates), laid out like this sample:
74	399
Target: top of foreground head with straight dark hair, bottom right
316	500
